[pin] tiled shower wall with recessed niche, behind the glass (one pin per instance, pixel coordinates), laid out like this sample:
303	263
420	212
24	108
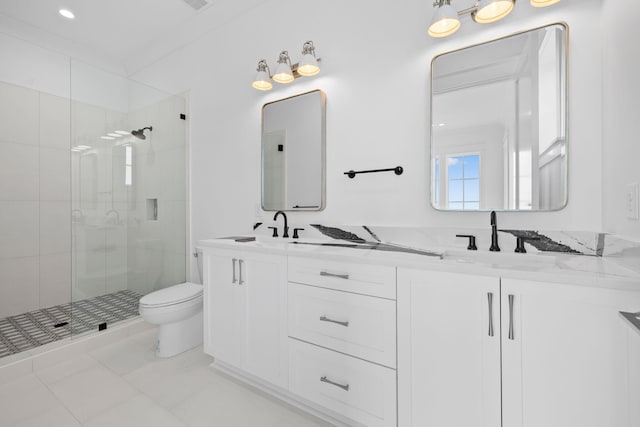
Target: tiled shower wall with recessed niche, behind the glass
158	246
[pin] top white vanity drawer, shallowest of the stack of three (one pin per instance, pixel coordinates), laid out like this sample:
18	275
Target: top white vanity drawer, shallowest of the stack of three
375	280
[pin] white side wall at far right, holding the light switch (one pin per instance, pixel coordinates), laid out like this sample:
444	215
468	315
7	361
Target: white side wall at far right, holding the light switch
621	143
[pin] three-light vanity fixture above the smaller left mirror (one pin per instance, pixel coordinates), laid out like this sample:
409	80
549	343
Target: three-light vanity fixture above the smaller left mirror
285	71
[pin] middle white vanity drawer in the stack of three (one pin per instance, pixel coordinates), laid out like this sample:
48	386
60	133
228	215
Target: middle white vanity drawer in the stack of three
358	325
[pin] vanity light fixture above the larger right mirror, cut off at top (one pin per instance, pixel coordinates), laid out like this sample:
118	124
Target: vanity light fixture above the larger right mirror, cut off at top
446	20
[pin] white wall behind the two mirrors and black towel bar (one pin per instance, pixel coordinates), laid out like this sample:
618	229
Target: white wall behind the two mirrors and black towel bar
376	61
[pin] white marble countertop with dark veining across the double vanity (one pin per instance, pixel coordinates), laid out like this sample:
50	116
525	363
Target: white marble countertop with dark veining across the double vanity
424	249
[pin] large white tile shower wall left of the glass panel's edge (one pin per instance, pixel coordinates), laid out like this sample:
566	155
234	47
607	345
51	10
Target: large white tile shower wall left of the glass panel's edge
35	245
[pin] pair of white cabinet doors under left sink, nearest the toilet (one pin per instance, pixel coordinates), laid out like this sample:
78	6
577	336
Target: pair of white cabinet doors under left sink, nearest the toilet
245	312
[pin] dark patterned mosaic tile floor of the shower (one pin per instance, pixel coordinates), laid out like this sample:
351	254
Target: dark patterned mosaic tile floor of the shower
35	328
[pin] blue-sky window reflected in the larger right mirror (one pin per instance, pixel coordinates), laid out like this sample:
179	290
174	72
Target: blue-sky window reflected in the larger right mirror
463	182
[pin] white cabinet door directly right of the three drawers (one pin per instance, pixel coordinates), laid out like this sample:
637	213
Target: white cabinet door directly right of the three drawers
448	349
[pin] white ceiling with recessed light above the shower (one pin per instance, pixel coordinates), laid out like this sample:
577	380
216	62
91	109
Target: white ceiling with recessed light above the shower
116	30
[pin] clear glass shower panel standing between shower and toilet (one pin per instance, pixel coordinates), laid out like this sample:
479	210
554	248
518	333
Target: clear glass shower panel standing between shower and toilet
127	148
